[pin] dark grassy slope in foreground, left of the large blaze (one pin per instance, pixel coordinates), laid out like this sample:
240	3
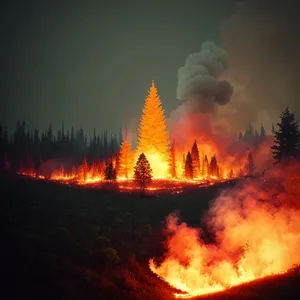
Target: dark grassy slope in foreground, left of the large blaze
64	242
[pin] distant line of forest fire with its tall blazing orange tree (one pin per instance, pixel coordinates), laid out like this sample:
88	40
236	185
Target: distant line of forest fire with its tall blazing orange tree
167	162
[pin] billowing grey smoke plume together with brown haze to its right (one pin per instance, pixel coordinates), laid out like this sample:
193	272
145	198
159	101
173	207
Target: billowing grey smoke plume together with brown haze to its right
259	57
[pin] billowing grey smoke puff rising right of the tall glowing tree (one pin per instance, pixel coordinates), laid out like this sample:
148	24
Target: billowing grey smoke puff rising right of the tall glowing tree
199	79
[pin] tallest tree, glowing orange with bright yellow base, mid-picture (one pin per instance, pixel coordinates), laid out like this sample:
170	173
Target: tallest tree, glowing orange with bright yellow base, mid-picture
153	138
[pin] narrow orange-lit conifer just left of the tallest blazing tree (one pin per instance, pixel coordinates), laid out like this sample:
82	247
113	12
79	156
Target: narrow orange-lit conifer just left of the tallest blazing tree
125	164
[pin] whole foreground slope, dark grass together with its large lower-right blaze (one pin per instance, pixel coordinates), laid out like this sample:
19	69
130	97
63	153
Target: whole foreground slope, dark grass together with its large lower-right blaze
79	243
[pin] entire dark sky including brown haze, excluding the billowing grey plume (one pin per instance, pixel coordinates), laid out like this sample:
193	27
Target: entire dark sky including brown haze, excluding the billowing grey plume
91	63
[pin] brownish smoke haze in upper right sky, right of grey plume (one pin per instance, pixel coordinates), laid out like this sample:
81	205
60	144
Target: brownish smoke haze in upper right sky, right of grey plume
263	46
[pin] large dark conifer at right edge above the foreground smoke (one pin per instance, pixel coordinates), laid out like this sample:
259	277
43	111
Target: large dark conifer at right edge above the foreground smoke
287	137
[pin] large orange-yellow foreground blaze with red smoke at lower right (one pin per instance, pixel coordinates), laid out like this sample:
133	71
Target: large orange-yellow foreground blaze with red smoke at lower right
254	232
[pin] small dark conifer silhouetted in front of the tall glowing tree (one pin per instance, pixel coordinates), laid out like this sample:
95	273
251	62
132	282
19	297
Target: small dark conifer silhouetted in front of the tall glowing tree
143	172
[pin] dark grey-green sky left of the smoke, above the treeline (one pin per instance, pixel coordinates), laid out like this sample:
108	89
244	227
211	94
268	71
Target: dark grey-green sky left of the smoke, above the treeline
92	62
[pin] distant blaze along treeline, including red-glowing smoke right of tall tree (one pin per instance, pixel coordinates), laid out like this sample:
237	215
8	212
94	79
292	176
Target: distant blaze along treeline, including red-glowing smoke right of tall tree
167	160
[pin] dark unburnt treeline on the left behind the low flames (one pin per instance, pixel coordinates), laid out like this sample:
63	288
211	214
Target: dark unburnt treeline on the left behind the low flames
70	145
